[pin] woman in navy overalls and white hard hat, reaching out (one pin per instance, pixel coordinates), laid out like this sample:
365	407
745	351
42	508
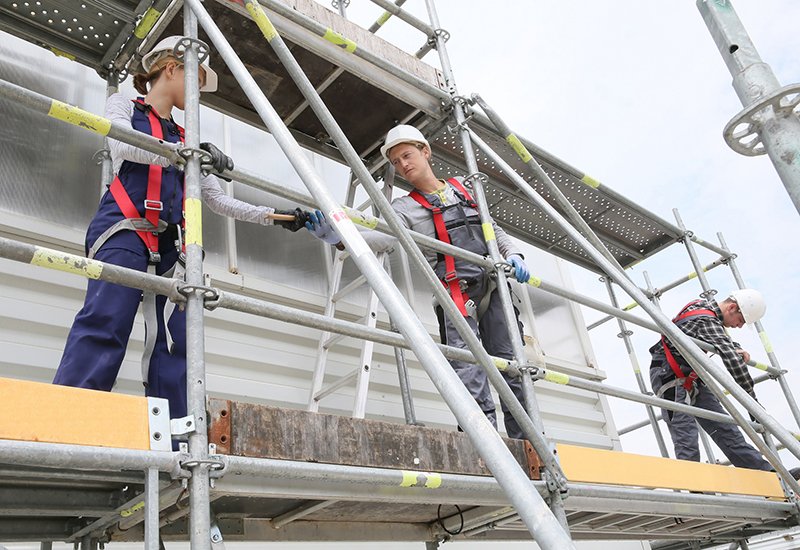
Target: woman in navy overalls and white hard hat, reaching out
139	225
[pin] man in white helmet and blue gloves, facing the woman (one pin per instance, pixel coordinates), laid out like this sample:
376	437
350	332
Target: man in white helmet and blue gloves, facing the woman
445	210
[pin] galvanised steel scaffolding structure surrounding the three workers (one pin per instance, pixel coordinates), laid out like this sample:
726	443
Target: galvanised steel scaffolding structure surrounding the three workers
535	489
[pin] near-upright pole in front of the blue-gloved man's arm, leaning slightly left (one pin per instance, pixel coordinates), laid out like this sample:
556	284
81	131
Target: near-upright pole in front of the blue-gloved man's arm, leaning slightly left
503	289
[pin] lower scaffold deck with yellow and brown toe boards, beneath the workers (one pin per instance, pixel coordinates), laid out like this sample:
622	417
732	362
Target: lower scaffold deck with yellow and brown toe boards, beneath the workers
290	475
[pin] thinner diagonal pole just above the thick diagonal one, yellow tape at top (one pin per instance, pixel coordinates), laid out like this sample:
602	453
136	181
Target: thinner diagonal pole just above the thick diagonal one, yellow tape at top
489	365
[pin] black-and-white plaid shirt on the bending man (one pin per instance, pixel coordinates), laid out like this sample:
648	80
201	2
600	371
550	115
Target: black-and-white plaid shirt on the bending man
712	331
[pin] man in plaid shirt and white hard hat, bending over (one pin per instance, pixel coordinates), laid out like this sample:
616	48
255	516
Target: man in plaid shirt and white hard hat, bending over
672	377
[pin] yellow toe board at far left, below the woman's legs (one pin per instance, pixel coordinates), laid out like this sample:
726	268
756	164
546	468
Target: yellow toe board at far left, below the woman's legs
32	411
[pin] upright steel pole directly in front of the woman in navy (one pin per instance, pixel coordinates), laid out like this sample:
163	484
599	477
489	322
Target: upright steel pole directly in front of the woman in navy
199	504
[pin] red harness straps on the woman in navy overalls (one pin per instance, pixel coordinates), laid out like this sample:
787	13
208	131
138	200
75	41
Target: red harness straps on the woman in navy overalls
152	204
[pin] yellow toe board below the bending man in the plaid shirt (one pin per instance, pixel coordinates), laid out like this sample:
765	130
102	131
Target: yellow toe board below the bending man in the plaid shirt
586	465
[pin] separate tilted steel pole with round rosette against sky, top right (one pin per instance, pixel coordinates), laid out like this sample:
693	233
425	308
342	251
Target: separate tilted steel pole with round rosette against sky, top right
769	109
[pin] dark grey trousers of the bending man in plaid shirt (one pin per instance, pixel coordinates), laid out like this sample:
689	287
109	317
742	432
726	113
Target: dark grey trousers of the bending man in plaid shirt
683	427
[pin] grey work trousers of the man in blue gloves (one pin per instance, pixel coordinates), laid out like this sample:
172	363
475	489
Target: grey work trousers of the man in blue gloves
493	333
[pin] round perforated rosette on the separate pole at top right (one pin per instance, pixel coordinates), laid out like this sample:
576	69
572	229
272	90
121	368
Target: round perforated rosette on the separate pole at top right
742	133
